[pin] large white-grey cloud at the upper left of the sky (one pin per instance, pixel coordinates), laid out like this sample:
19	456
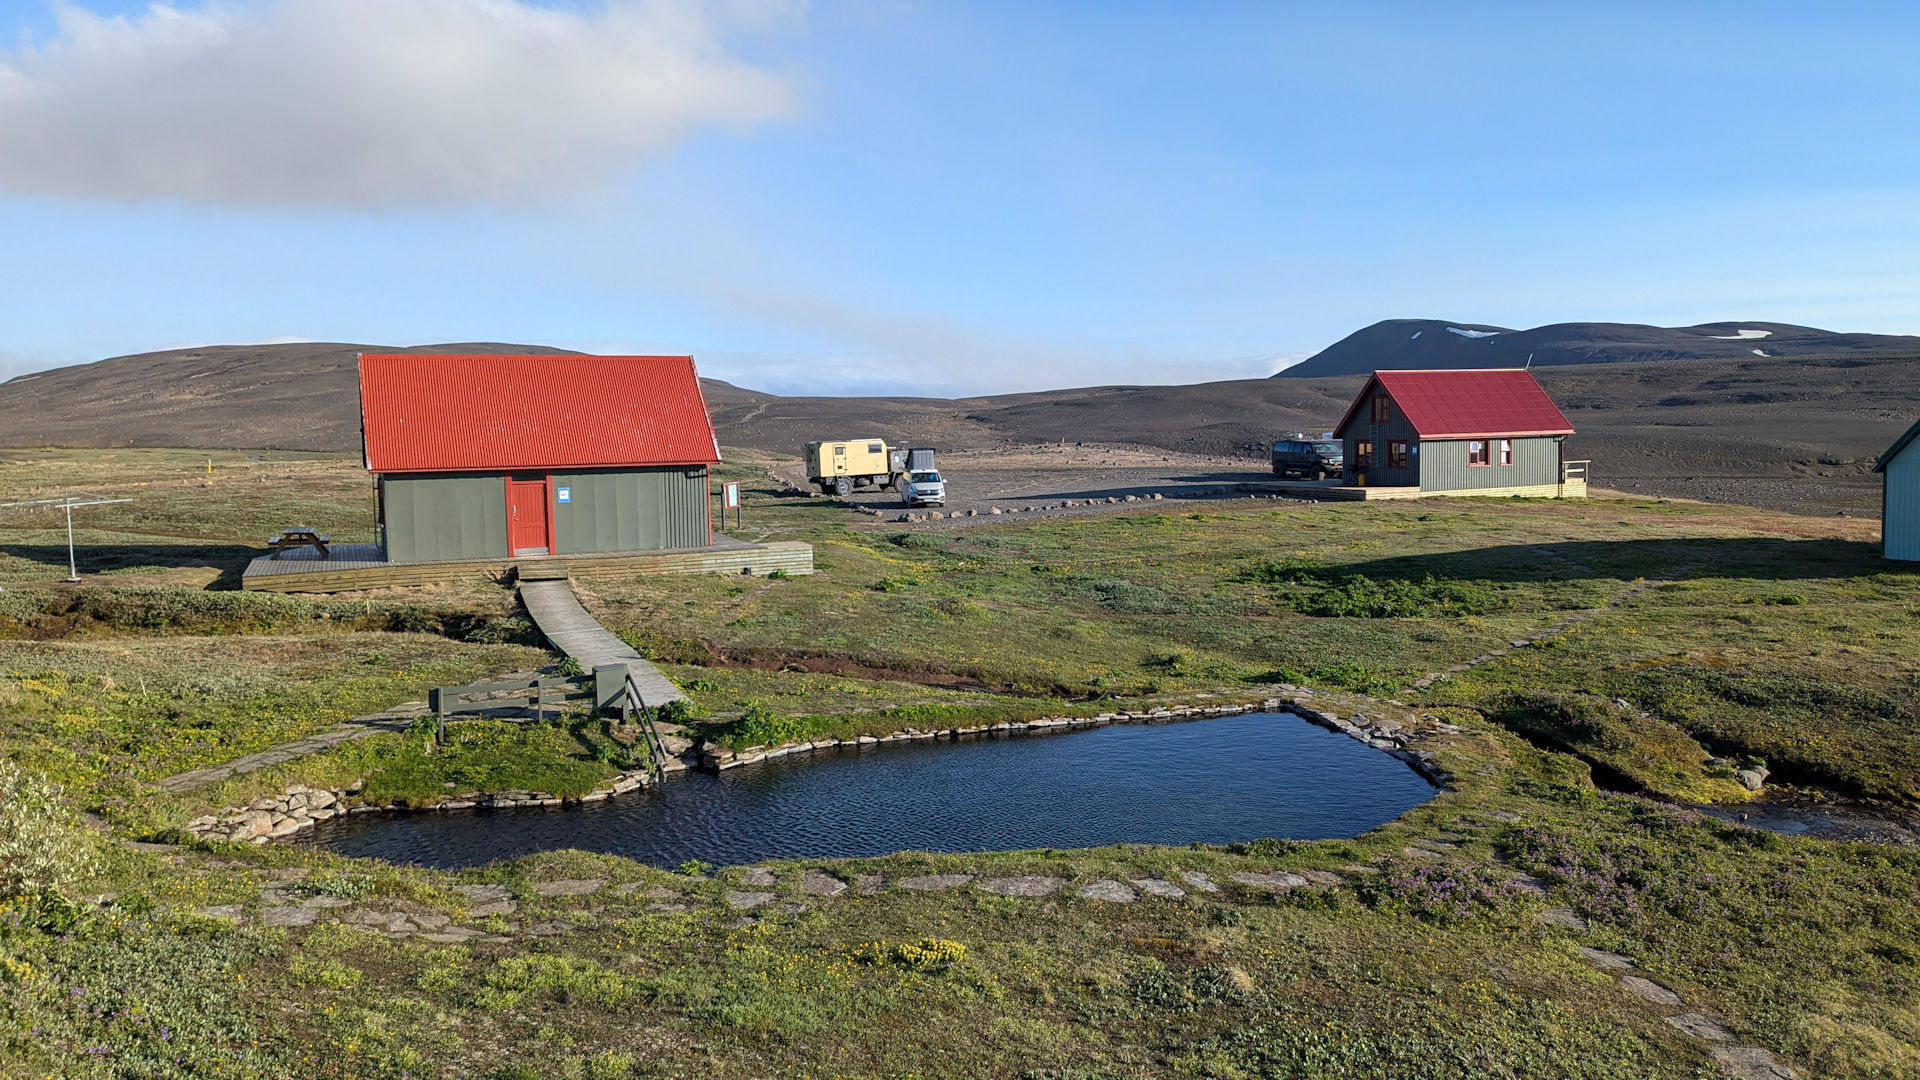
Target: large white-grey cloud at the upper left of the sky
373	103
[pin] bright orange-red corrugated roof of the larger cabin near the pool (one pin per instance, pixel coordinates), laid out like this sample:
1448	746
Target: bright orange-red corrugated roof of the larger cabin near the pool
431	412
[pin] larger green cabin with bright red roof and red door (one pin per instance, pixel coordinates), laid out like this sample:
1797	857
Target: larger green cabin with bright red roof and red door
516	456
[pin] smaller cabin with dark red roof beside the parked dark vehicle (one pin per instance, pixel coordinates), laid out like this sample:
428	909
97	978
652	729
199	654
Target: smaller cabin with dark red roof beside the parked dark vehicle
1470	433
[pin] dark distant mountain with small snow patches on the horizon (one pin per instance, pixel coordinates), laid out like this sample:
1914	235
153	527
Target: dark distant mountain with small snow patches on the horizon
1431	343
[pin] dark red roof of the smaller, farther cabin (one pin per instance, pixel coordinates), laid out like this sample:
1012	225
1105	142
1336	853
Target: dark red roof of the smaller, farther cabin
1462	405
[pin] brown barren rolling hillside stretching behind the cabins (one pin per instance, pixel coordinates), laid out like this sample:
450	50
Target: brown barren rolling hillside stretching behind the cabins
1790	433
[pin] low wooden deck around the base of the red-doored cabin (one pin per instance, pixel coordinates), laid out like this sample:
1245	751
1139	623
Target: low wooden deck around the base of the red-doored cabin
362	566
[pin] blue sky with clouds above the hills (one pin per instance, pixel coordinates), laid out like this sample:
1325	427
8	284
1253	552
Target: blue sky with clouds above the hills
944	199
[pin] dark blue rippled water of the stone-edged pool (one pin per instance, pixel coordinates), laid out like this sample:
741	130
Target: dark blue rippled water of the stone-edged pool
1209	781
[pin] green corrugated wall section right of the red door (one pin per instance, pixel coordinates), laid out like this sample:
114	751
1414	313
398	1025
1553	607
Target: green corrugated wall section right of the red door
631	510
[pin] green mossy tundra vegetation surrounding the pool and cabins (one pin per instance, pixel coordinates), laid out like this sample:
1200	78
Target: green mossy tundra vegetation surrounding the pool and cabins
1694	641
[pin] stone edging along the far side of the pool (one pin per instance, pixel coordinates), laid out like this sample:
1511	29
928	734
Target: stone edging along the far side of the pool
279	818
